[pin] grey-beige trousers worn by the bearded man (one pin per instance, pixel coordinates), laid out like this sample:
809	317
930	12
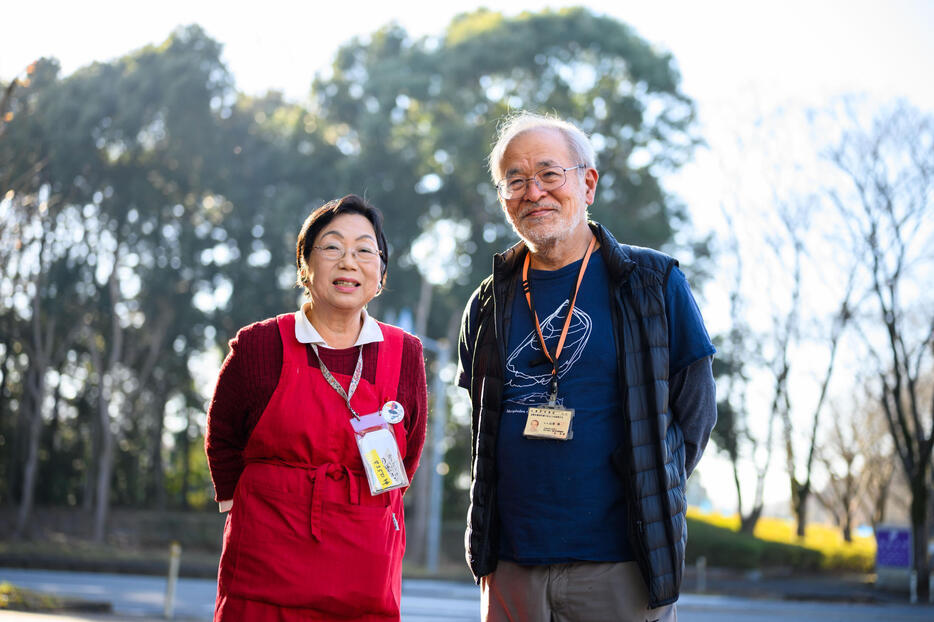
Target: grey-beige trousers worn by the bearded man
575	592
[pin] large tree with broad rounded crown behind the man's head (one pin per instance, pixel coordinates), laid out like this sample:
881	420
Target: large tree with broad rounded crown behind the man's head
415	120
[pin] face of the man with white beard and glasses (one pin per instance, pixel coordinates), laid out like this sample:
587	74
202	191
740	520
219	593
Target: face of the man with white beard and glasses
545	218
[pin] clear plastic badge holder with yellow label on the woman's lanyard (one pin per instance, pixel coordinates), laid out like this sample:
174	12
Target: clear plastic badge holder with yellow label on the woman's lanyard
379	453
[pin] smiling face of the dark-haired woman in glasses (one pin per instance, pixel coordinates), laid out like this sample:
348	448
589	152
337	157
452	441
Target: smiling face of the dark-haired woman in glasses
346	283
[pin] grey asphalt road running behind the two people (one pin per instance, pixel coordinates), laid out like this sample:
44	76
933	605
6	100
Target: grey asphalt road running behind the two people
138	598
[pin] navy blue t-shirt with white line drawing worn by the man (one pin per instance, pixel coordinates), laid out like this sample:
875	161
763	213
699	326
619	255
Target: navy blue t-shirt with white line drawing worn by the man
563	501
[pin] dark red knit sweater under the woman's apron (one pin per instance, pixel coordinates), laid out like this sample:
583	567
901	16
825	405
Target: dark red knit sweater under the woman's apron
249	377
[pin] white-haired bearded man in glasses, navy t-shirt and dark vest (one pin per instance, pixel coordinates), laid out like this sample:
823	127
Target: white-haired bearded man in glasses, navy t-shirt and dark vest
580	516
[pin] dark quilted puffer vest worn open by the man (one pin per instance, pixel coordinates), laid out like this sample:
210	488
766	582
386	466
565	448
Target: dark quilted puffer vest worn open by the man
650	459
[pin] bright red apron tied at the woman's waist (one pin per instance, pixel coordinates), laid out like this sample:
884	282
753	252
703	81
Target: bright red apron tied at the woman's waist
305	539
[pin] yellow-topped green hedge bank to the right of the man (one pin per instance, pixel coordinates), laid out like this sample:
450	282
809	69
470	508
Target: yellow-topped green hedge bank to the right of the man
774	543
